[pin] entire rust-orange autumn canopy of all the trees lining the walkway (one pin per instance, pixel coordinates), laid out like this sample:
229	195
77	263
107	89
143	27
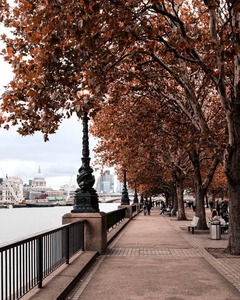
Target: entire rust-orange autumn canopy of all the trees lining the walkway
169	69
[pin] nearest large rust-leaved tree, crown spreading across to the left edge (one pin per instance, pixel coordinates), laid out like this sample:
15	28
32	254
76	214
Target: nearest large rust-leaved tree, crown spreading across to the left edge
62	48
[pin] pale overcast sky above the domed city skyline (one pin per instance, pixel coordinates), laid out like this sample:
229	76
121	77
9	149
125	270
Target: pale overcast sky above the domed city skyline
59	158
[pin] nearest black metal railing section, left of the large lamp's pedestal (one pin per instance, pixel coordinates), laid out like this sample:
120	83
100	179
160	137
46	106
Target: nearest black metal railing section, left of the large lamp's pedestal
24	264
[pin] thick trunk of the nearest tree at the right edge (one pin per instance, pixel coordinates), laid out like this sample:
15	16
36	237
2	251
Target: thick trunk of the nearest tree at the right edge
232	157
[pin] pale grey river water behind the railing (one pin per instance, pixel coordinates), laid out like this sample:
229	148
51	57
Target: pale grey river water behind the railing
17	223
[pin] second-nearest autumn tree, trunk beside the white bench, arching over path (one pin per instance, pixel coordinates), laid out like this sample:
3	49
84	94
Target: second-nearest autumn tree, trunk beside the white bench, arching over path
142	80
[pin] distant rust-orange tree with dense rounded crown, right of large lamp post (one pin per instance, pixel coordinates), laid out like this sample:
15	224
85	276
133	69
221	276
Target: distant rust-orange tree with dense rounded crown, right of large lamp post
146	129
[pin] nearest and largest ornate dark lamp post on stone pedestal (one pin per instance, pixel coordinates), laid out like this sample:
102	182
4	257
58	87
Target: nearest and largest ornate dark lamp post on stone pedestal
86	198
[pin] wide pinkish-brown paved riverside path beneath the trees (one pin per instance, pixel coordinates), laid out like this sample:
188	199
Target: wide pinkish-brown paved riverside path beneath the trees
155	257
